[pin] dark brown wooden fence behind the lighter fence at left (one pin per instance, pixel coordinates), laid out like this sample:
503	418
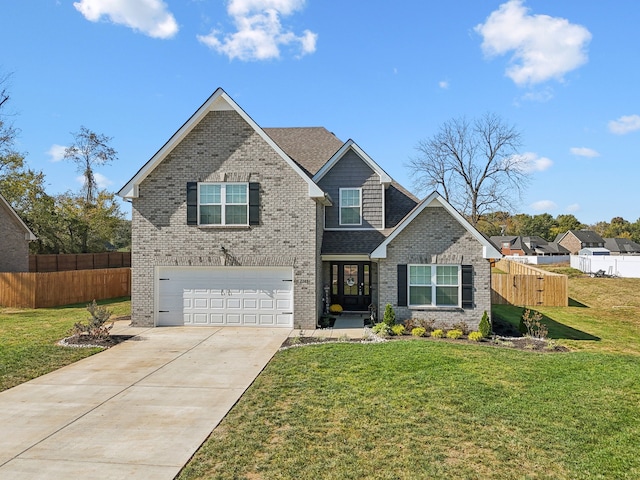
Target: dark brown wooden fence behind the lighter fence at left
78	261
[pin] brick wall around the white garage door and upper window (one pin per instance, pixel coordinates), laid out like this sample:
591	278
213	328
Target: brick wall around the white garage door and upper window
223	147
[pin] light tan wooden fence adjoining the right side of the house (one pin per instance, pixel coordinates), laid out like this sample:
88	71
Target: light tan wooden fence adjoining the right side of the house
528	286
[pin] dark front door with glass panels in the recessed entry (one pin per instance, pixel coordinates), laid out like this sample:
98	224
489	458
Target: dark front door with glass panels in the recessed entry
351	285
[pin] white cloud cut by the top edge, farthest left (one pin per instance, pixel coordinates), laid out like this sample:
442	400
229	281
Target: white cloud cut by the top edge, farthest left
151	17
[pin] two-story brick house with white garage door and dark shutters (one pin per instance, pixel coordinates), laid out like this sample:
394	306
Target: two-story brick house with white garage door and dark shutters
234	224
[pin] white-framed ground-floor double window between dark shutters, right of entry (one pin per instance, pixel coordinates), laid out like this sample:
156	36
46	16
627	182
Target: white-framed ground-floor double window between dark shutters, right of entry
434	285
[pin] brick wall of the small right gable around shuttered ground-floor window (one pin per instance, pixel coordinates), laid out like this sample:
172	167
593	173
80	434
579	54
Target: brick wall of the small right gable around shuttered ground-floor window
436	237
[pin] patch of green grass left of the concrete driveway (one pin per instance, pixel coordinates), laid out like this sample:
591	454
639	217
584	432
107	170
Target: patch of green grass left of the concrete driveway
28	340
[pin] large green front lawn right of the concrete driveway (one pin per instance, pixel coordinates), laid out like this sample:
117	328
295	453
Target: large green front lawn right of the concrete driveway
424	409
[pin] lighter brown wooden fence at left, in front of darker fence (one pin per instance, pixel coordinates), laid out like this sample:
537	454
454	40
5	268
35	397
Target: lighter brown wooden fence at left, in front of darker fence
40	290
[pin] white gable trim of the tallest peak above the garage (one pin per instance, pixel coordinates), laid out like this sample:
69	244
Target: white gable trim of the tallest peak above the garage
218	101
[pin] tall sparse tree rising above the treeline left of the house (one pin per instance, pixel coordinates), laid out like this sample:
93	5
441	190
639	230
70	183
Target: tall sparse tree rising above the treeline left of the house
89	150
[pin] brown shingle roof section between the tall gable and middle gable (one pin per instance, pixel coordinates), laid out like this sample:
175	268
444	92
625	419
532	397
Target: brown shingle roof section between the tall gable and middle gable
309	147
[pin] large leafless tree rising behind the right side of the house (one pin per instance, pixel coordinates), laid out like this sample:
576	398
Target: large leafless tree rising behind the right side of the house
475	165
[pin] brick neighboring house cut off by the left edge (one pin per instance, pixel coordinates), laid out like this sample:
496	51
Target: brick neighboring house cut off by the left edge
14	248
